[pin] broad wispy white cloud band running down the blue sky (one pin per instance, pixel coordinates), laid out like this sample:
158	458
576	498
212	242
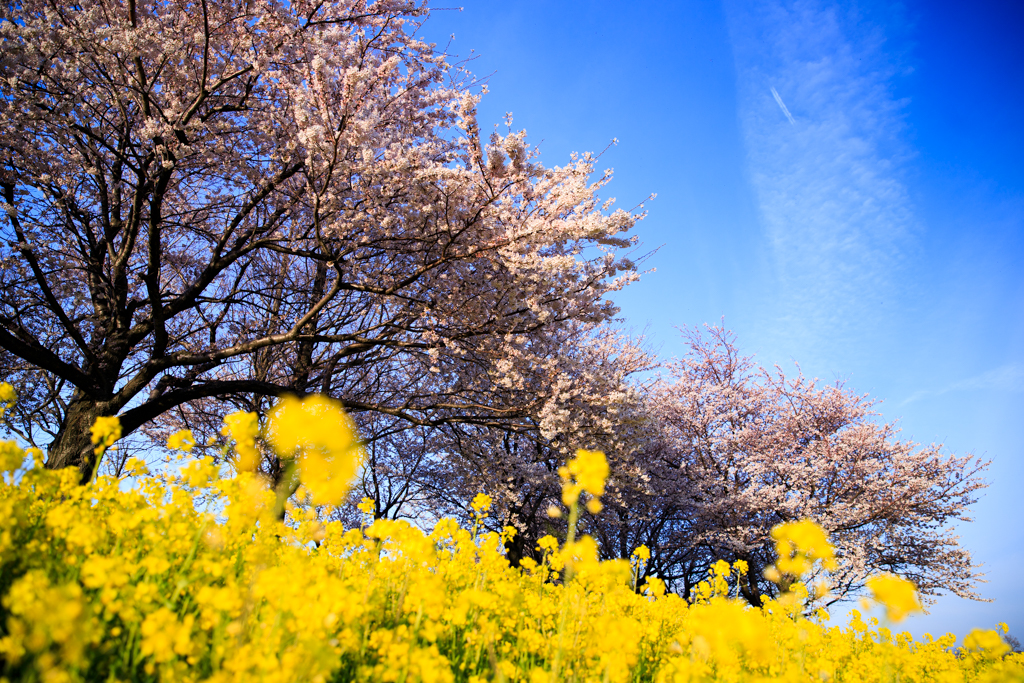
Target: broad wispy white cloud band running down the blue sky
836	214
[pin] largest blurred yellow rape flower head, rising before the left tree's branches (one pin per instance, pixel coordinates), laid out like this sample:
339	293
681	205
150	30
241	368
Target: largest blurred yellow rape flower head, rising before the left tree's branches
324	439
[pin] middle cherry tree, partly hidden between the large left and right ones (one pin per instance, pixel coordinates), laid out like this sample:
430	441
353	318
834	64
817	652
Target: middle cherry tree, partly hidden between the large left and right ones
592	398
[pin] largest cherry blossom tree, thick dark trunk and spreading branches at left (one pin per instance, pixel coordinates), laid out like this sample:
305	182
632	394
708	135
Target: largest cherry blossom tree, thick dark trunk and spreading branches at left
238	199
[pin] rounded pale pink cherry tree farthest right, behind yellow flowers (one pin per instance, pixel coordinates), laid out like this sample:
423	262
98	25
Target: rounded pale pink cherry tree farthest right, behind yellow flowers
742	449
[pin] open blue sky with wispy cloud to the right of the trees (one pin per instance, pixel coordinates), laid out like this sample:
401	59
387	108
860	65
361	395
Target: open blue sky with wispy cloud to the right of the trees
878	237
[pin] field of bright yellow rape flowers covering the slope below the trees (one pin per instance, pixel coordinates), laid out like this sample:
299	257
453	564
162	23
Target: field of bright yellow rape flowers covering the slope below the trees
192	576
